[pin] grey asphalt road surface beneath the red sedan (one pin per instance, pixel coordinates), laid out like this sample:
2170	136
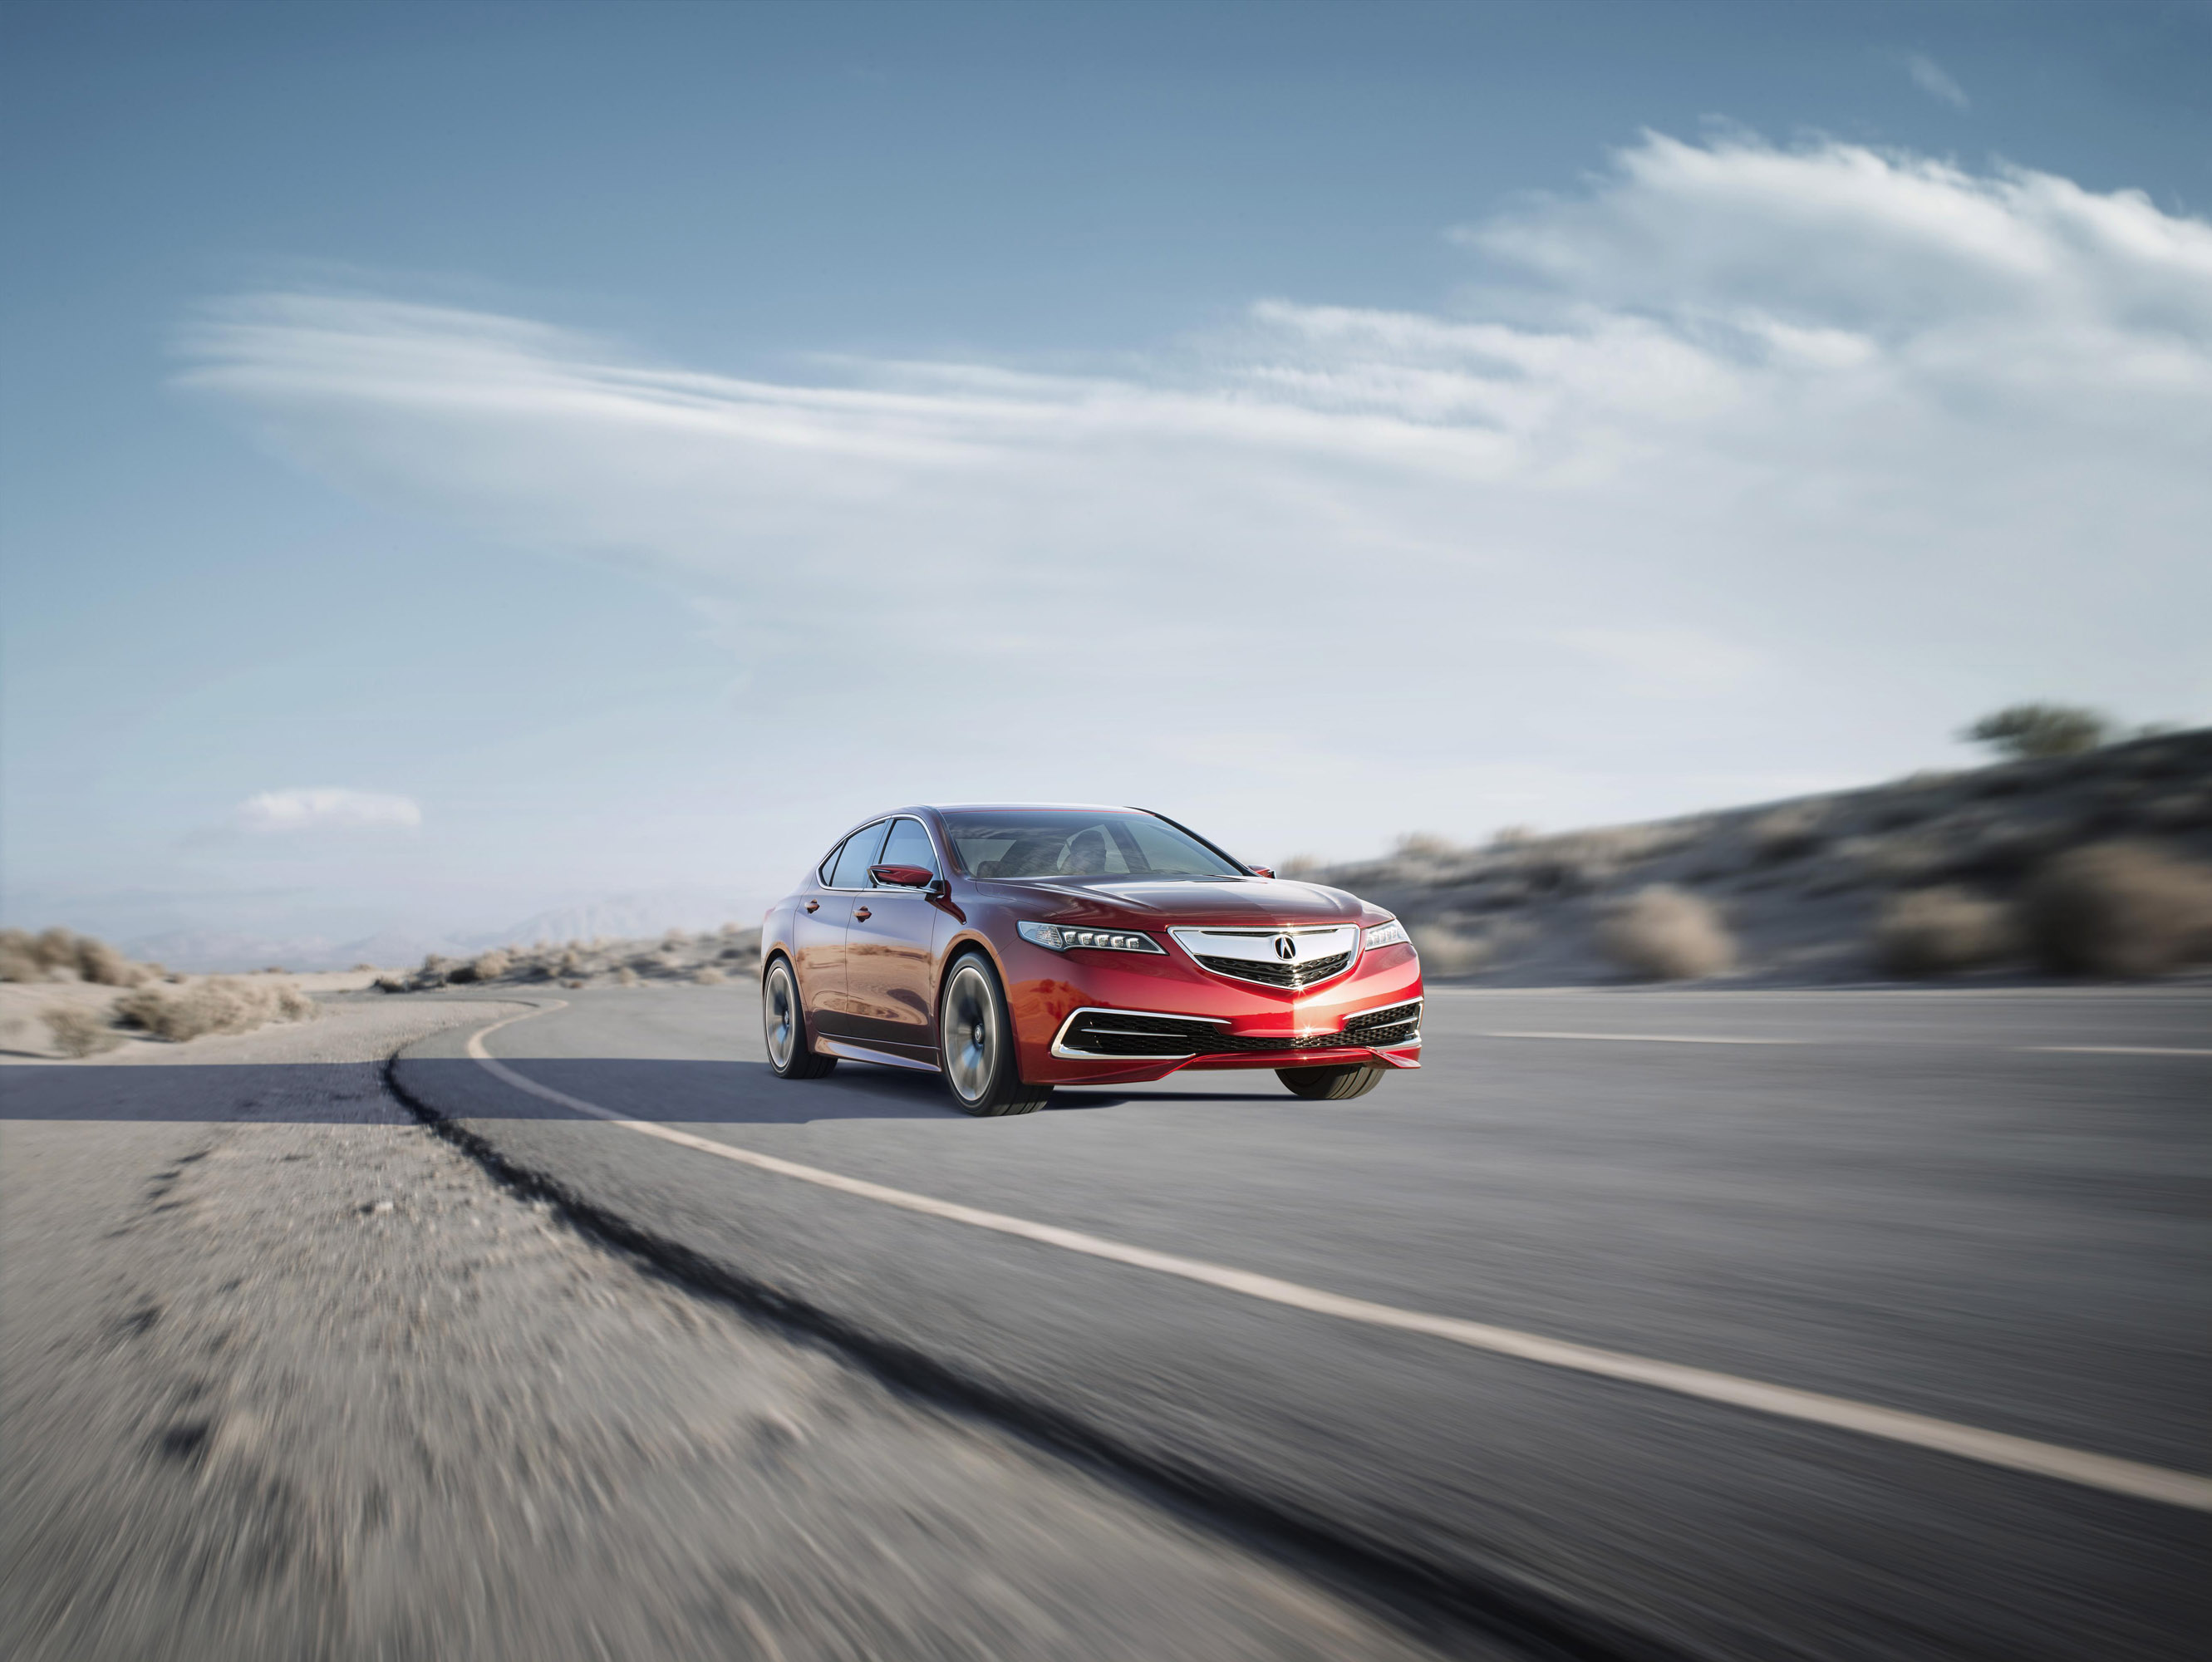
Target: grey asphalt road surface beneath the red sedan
1976	1207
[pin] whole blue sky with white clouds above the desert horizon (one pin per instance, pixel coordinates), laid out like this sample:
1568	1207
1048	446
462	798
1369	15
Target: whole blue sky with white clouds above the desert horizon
463	461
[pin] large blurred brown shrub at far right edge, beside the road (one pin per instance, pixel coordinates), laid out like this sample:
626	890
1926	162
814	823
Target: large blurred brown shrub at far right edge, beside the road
2120	911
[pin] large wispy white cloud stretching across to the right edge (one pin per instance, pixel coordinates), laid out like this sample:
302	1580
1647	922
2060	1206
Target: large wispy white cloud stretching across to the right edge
1859	439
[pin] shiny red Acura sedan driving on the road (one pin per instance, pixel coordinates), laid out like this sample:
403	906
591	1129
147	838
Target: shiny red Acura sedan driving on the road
1023	948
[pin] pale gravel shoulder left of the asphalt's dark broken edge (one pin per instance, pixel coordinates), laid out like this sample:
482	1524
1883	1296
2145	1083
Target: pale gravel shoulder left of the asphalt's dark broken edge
286	1375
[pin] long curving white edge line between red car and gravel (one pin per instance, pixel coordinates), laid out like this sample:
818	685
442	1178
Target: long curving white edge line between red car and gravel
1945	1437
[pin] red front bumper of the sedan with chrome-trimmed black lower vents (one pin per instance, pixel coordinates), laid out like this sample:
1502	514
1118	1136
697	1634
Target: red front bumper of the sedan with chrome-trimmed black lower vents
1123	1019
